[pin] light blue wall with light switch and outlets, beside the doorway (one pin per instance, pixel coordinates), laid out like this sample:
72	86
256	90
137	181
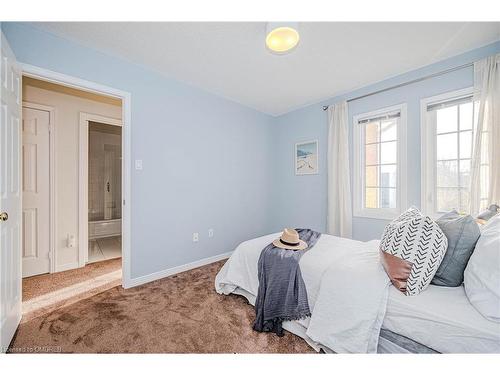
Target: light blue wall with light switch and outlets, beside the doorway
205	158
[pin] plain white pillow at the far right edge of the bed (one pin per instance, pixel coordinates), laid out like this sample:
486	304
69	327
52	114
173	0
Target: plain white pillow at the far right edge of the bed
482	274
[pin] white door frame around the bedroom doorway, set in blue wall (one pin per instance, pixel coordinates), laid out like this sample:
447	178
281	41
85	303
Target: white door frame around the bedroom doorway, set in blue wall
80	84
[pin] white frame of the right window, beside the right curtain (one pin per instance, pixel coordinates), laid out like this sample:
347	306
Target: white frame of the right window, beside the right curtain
428	149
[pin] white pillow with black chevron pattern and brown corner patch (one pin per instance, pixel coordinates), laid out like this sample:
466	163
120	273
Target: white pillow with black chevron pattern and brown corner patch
419	244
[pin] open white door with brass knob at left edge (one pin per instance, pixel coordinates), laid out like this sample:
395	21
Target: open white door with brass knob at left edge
10	195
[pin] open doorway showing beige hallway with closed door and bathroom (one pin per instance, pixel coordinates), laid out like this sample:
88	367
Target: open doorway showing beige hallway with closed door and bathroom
72	167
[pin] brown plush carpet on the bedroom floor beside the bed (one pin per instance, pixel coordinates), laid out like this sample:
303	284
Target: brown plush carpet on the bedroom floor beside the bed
178	314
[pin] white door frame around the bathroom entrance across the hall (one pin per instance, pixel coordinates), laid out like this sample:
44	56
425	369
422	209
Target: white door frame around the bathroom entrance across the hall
83	180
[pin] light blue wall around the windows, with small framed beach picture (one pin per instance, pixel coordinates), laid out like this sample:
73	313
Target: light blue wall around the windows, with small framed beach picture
301	200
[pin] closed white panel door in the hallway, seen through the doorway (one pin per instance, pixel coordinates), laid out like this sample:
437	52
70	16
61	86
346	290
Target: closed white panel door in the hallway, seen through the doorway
36	192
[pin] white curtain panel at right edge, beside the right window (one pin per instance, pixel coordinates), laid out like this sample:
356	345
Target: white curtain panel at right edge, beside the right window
487	139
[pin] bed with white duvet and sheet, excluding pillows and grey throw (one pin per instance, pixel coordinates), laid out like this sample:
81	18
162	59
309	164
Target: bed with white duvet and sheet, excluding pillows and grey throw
377	317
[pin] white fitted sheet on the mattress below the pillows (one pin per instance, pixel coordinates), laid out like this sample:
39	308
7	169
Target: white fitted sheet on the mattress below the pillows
442	319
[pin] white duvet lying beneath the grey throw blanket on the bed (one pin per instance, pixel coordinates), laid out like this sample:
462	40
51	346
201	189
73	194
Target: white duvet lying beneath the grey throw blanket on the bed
346	285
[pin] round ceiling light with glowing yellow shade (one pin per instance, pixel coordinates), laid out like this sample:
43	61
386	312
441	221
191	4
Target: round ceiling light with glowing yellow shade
282	37
